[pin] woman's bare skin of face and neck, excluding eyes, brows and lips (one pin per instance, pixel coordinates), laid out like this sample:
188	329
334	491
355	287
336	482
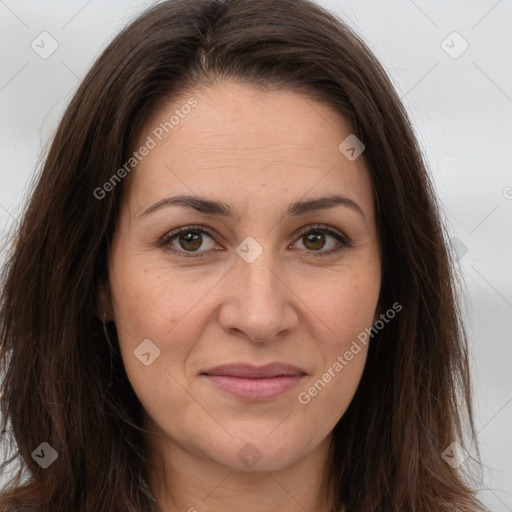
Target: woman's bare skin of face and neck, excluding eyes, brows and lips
258	152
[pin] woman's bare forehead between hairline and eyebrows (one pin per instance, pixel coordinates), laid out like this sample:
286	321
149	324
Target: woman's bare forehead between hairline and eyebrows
237	142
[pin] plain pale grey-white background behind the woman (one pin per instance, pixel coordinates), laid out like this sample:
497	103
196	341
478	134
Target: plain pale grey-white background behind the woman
461	109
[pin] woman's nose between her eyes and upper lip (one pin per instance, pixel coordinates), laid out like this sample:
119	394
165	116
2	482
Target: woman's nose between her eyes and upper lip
257	301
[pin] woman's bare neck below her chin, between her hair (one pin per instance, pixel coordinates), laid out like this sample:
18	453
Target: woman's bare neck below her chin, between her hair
185	481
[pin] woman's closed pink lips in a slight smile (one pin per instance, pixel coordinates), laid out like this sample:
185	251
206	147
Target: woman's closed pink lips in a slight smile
255	383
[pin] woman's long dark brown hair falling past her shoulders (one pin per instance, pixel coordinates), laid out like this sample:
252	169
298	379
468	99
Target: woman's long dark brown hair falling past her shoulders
64	382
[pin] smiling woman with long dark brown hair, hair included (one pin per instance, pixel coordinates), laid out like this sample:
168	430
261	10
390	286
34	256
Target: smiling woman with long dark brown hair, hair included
231	288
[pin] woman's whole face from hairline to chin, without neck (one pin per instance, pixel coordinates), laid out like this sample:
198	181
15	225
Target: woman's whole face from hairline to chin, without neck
254	279
